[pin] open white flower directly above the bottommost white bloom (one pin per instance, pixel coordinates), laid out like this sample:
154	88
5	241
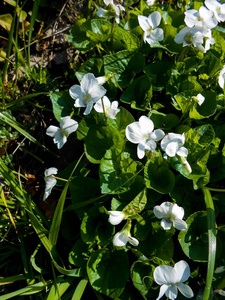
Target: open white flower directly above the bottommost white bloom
170	214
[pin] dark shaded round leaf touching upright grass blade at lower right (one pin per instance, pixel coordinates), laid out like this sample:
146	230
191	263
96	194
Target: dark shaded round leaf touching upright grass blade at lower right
194	240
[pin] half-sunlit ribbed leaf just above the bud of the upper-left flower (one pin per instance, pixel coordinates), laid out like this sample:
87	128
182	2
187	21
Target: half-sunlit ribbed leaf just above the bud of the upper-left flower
124	64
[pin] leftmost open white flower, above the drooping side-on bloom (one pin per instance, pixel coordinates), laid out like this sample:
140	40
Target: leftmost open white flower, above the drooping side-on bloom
60	134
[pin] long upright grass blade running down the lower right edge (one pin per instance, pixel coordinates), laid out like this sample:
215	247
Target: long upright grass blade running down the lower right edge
212	242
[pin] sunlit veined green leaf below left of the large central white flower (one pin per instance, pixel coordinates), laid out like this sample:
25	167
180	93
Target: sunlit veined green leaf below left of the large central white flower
116	171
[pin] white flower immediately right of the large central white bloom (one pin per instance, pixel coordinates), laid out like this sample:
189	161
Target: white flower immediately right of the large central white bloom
173	143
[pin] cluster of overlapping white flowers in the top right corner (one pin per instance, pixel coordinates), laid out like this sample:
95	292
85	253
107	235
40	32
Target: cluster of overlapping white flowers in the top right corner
199	24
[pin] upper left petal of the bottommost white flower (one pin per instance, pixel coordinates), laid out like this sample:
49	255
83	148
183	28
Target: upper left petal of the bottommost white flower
164	275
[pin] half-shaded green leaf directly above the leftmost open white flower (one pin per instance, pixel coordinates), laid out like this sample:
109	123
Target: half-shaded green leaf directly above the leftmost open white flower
62	104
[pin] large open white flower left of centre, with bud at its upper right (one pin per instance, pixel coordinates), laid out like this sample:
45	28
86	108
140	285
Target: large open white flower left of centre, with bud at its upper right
87	93
